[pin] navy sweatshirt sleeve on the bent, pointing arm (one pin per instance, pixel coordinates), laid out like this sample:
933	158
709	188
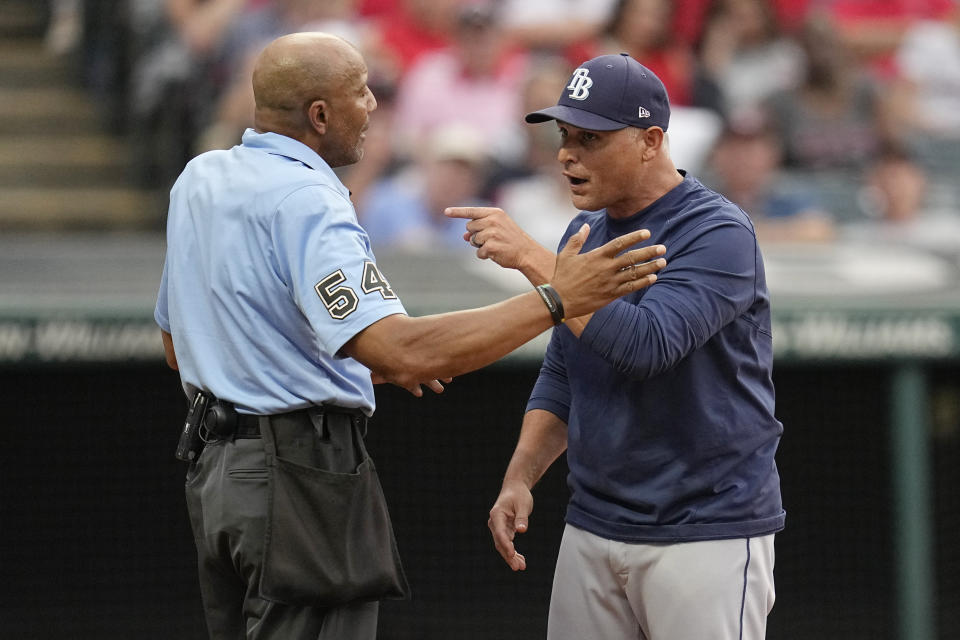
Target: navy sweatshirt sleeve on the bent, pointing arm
709	281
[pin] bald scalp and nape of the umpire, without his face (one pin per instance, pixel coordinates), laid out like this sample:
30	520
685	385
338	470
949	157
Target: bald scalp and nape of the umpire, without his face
295	70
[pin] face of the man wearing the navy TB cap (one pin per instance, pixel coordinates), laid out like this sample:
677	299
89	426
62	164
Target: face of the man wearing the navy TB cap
604	169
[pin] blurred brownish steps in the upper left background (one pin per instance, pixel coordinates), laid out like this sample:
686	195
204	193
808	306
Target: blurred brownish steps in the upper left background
60	169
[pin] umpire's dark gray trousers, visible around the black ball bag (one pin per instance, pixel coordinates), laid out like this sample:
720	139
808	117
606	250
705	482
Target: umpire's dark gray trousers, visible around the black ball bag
227	501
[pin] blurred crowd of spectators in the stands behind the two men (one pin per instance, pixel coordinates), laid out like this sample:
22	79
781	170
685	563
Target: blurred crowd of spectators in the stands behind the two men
823	119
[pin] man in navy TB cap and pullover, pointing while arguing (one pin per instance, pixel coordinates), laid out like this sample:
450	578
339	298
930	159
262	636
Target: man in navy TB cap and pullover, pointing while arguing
662	400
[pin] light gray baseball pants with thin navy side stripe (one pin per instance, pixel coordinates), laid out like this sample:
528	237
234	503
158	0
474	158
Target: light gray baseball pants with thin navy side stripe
709	590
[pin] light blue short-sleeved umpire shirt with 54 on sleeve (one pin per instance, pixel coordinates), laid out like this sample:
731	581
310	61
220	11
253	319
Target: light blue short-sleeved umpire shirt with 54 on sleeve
267	275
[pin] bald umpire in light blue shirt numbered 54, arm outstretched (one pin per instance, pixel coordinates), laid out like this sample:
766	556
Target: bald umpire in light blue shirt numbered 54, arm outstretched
279	321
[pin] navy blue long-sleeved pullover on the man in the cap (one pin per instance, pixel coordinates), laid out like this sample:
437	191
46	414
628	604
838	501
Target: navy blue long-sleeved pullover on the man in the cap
667	394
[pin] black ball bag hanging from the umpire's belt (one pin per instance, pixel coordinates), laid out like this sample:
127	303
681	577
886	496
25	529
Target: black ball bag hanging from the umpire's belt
329	539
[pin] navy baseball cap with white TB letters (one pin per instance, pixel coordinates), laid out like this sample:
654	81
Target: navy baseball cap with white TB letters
608	93
